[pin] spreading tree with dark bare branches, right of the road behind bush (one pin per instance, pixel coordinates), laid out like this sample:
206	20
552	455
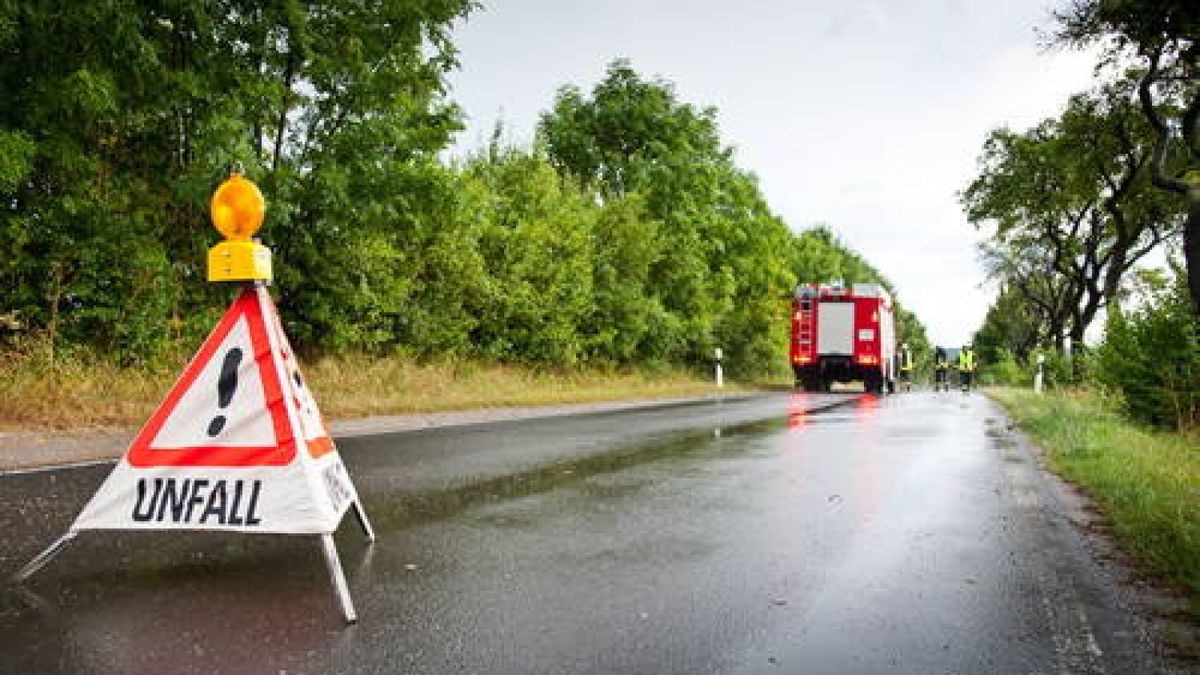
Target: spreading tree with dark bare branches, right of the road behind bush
1072	208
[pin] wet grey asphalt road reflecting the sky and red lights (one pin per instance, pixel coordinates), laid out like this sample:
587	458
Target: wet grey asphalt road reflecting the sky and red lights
779	534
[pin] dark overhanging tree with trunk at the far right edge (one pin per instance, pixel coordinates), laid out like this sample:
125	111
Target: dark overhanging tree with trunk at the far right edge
1162	38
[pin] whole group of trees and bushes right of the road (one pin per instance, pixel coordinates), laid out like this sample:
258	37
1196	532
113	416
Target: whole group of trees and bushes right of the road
1078	201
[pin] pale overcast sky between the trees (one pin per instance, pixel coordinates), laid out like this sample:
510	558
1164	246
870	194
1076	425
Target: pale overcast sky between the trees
865	116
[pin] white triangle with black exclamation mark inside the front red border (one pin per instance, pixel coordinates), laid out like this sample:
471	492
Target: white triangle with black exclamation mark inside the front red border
225	405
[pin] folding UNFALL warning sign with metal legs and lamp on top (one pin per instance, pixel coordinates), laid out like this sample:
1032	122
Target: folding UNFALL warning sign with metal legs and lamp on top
239	444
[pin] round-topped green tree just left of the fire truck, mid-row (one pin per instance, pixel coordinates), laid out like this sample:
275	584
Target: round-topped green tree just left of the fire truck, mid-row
722	258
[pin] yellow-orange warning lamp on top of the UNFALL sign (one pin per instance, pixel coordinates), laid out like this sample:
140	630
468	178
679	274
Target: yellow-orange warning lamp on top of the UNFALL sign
238	208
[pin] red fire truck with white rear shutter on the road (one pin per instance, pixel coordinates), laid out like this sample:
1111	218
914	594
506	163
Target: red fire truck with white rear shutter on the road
843	334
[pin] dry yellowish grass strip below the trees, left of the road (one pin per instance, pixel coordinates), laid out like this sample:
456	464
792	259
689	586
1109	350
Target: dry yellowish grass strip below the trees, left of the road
73	395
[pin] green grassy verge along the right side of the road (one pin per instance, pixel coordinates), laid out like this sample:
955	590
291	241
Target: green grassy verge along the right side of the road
1145	483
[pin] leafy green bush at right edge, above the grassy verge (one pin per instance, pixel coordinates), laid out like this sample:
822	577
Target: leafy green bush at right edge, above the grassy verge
1153	359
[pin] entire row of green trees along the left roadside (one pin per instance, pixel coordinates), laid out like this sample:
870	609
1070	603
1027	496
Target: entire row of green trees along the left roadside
625	235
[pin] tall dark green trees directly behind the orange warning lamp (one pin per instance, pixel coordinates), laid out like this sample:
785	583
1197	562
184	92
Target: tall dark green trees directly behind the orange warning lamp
122	117
